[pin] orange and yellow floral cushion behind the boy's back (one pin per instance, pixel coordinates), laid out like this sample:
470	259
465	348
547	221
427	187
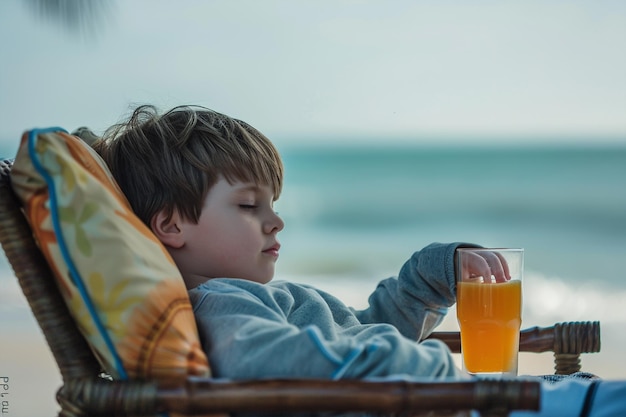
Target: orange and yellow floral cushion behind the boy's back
119	282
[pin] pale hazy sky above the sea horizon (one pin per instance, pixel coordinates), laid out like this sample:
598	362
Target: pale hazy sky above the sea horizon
327	71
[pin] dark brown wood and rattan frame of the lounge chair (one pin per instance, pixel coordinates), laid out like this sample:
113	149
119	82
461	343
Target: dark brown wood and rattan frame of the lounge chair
86	392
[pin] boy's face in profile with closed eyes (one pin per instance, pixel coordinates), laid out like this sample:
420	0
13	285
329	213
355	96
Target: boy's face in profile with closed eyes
235	236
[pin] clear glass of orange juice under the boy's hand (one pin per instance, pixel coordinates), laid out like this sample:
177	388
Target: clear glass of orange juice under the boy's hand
489	309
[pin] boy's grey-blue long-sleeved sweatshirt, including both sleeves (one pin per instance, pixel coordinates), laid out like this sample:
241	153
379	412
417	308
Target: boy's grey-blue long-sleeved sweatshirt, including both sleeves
281	329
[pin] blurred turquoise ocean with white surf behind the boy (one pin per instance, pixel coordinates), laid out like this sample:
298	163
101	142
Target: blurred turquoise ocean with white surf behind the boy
354	214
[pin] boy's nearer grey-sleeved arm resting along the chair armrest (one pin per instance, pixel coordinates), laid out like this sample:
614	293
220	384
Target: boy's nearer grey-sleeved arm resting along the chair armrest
245	336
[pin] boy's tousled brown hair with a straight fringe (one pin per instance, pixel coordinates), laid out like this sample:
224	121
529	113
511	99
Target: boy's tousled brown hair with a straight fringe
170	162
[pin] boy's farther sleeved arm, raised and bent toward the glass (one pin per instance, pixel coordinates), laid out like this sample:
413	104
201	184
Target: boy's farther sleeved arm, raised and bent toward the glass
417	300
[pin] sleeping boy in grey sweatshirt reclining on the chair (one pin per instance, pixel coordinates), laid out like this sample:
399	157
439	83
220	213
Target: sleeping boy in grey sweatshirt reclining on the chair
206	183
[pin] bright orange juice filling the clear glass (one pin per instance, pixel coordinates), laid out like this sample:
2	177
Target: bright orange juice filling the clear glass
489	316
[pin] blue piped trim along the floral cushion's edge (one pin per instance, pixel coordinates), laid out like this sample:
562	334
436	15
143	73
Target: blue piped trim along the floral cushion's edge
75	276
